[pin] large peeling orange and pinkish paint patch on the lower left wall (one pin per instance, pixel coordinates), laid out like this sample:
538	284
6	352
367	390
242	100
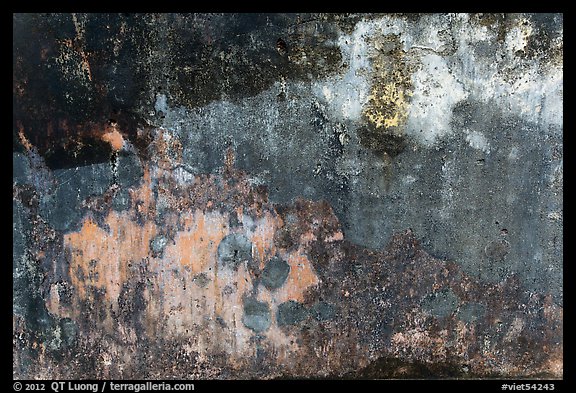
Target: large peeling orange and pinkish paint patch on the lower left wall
187	294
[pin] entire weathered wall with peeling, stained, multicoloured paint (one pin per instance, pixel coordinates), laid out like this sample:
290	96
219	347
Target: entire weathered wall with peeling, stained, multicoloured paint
287	195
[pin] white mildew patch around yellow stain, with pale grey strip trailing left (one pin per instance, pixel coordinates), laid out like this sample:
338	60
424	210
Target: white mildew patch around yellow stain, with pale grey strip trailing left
449	59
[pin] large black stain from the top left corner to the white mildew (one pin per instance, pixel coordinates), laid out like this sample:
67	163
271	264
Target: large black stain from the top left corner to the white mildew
75	74
